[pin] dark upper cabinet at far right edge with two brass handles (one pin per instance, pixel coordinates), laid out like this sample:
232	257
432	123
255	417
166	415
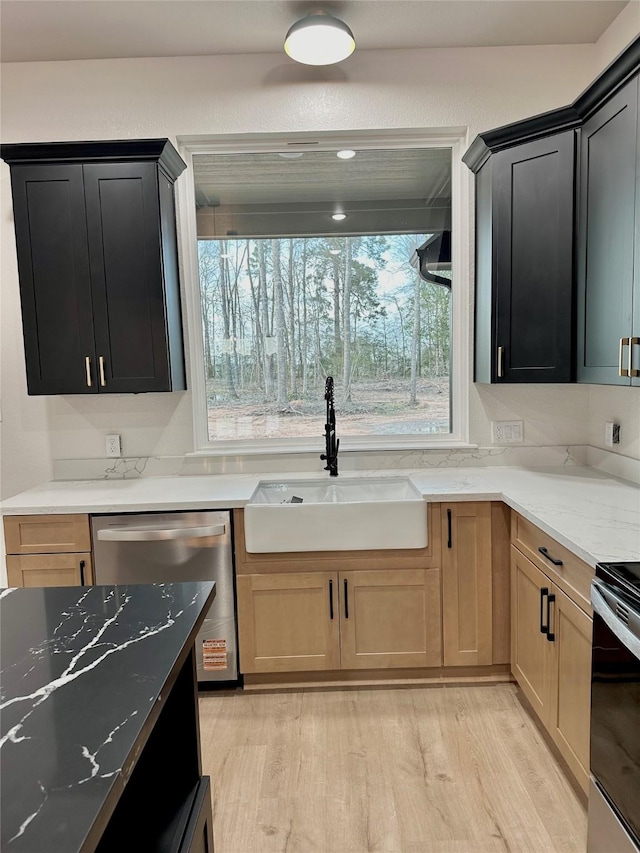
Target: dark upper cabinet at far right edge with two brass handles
609	243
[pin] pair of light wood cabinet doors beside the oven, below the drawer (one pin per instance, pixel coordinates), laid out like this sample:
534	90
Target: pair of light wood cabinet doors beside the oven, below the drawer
551	660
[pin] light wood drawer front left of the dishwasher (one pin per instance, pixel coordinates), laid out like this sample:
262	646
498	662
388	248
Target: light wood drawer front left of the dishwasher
46	534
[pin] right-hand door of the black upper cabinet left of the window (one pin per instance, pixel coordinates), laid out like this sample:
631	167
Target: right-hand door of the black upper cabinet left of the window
125	250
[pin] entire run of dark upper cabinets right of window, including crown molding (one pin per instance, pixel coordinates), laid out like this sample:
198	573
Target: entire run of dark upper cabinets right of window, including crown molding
557	239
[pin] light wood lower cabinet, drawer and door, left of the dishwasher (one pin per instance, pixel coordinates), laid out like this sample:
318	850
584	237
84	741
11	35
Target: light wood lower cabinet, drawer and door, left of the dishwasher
48	550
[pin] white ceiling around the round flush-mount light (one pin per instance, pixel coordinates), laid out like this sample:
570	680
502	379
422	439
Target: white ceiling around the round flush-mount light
33	30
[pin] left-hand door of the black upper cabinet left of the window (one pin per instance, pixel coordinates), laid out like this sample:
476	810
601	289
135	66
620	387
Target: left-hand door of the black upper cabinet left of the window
53	266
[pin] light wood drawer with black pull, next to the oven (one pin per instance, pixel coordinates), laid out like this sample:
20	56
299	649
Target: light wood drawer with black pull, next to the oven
573	576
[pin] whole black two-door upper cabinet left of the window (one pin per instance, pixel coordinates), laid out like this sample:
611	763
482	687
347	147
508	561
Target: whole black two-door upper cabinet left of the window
97	262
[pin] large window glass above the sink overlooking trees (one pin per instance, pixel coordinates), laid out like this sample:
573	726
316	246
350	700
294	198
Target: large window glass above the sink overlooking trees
290	293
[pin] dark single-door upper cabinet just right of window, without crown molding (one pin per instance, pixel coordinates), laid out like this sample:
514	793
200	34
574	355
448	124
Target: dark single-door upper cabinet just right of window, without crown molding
524	263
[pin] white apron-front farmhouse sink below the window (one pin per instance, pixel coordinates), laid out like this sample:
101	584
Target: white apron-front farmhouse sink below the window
339	515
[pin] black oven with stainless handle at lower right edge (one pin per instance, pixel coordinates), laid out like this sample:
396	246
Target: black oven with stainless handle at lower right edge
614	797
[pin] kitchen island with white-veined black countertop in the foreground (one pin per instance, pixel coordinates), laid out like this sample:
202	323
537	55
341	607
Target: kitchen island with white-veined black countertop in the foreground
99	732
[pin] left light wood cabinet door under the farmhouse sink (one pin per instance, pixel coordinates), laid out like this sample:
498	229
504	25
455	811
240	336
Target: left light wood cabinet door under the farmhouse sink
288	622
